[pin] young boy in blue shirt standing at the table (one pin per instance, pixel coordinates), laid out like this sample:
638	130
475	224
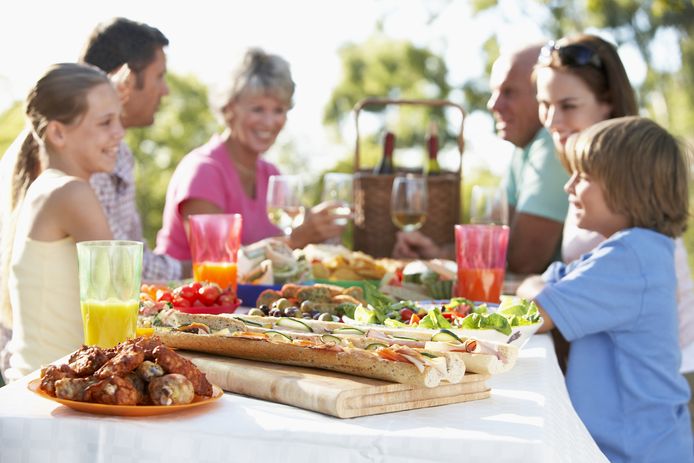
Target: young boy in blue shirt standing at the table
616	304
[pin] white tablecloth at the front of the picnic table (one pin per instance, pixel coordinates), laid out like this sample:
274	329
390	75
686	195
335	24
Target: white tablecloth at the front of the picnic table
527	419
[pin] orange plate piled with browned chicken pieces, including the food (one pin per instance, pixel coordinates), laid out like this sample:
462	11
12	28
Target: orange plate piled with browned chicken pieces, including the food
139	377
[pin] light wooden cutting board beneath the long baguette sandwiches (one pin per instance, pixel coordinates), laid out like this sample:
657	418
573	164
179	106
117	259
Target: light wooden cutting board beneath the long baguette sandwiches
336	394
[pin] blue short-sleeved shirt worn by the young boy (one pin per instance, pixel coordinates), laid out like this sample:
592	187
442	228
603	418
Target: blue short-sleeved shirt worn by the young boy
617	307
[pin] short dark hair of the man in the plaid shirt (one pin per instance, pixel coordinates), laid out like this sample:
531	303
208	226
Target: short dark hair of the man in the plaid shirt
120	41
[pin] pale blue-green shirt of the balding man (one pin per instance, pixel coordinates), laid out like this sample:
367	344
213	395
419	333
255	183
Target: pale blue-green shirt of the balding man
535	180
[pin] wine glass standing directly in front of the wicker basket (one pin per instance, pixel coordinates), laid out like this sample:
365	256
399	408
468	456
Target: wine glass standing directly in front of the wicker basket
408	202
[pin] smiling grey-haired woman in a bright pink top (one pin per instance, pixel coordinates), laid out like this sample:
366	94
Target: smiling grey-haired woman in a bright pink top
226	175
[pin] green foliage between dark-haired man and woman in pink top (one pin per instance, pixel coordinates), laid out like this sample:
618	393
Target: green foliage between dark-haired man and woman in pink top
183	122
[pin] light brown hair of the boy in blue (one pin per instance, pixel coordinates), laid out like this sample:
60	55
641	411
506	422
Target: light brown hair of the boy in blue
642	169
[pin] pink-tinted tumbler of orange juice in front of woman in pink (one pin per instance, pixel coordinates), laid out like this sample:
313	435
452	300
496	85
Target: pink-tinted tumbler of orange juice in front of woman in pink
214	244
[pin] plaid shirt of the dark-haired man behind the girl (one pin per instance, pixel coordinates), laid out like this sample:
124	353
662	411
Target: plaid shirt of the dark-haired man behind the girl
116	192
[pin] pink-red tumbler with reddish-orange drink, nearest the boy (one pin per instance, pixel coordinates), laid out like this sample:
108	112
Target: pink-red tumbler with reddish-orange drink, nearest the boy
481	256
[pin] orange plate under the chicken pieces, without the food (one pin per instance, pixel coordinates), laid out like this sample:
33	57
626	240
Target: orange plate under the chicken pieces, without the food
125	410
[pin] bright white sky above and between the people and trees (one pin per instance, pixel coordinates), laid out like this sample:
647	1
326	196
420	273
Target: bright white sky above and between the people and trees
207	36
